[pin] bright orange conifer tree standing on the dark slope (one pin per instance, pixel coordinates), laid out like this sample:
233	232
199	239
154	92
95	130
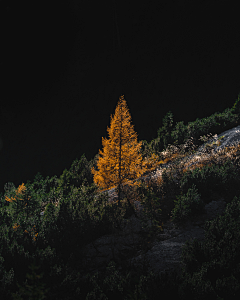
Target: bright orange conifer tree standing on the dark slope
120	161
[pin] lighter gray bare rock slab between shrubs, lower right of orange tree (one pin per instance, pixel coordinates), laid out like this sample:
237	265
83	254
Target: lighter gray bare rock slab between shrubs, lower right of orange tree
165	254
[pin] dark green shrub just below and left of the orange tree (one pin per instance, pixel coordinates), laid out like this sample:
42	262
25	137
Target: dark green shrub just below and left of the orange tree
82	217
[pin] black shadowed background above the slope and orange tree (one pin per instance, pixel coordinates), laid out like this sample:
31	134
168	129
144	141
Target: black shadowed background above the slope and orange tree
64	66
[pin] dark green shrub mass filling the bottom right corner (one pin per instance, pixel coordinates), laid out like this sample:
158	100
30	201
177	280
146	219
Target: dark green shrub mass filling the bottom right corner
212	267
